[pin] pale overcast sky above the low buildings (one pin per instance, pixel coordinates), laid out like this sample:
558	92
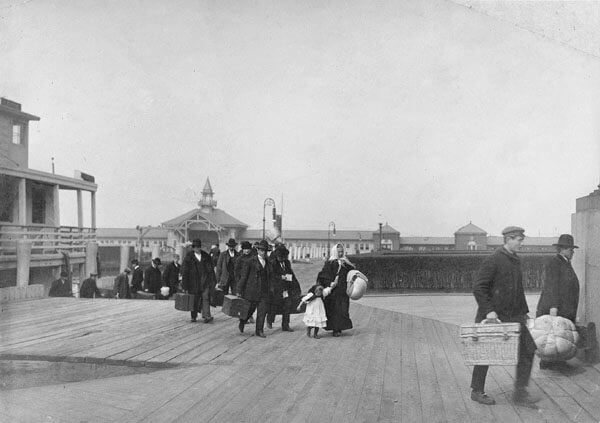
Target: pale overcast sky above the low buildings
424	114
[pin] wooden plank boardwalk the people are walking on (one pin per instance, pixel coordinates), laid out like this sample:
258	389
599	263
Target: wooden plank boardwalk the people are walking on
392	367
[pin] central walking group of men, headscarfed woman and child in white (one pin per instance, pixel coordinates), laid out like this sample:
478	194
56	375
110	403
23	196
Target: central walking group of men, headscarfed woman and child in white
264	277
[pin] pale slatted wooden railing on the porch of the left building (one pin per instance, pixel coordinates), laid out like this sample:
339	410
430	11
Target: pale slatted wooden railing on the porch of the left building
45	239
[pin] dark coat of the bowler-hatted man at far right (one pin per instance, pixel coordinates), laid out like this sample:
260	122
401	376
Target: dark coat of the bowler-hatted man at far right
560	290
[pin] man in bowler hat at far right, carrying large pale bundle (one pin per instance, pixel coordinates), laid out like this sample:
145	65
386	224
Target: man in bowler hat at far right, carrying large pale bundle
560	293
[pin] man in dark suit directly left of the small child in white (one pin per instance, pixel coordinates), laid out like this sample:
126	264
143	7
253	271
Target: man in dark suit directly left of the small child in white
286	286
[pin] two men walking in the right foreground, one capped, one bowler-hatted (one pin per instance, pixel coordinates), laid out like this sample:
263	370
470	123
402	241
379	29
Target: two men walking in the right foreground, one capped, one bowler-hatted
499	293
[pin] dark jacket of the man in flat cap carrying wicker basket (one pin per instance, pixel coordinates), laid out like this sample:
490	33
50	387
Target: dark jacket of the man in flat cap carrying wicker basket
499	287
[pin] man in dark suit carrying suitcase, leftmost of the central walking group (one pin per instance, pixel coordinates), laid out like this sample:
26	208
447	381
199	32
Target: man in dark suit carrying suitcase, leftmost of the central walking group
198	277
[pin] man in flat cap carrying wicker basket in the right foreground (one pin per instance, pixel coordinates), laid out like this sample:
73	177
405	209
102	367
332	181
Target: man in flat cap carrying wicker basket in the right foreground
500	296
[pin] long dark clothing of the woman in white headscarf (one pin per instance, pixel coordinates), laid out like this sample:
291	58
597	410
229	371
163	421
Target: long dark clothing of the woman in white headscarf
337	304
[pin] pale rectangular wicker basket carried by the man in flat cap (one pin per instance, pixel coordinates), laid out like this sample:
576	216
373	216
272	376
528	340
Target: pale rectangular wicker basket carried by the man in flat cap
490	344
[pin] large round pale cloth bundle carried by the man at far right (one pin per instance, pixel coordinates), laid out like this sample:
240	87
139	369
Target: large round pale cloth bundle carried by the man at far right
556	338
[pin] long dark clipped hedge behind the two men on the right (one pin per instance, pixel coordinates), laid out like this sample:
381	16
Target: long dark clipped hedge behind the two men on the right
440	272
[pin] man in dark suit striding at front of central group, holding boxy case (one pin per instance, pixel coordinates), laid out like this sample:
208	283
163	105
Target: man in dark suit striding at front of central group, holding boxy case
255	285
